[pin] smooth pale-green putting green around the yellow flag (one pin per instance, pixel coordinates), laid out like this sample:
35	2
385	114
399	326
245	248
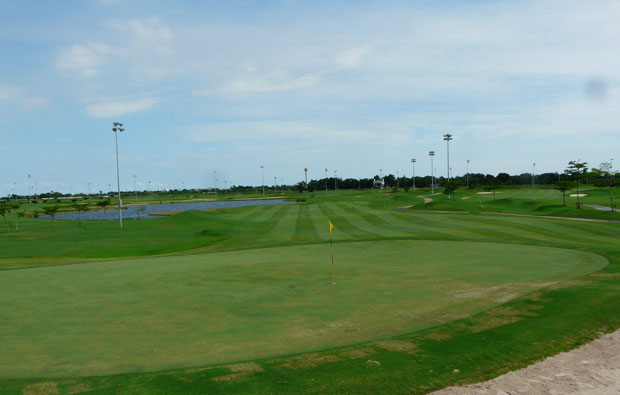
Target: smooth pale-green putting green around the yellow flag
167	312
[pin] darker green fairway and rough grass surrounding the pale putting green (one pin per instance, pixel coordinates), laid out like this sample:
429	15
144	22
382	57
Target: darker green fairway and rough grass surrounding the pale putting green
482	345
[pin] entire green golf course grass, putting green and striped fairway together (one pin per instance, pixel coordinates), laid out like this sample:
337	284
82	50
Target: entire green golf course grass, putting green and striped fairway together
421	296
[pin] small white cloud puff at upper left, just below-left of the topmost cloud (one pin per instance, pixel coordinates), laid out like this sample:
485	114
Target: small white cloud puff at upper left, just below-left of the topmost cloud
82	59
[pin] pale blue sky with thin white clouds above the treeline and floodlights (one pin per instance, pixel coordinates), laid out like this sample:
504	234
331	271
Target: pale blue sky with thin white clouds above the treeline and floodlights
215	89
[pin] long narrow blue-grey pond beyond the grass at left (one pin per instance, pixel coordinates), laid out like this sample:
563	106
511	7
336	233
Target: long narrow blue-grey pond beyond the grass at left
144	211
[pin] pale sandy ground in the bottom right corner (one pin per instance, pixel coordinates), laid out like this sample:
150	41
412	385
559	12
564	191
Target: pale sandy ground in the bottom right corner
592	369
